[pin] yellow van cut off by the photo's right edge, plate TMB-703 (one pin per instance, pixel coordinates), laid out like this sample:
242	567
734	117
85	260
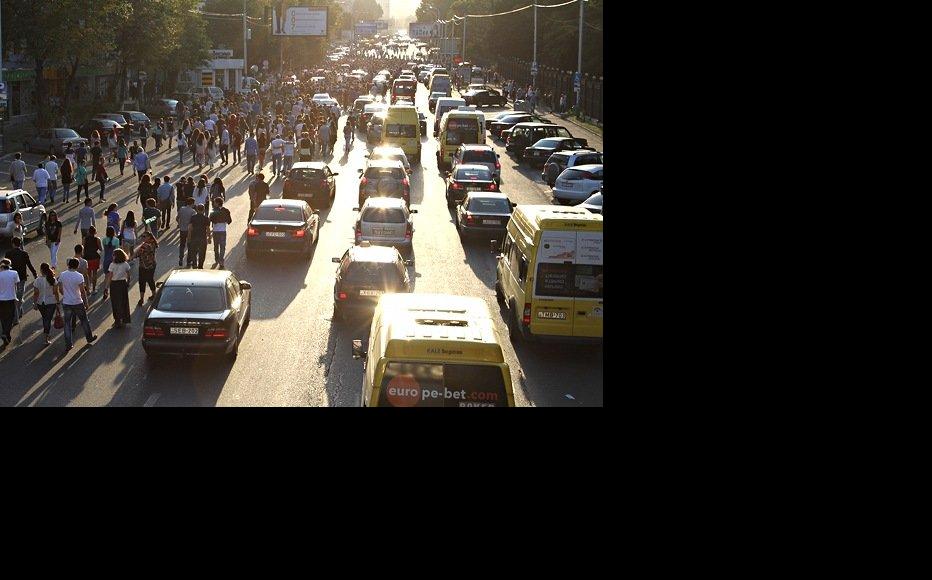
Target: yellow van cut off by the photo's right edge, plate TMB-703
549	274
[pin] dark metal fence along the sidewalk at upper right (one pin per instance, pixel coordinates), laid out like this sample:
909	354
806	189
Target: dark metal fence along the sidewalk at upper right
552	83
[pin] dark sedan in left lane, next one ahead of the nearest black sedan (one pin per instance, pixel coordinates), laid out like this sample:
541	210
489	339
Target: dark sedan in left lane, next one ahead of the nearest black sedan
282	225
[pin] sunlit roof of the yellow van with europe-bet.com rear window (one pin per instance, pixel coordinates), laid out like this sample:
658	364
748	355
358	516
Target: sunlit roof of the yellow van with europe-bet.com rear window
410	320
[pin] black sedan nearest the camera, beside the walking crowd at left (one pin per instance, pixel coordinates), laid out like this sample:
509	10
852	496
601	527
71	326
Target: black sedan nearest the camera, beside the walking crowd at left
197	312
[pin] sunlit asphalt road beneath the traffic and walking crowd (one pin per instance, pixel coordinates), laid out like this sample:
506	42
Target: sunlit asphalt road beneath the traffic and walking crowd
292	353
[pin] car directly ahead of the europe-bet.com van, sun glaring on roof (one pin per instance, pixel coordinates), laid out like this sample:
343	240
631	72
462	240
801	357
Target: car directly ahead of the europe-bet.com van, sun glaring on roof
365	273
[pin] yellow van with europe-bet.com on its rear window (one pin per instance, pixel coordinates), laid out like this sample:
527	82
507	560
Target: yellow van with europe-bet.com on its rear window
433	350
